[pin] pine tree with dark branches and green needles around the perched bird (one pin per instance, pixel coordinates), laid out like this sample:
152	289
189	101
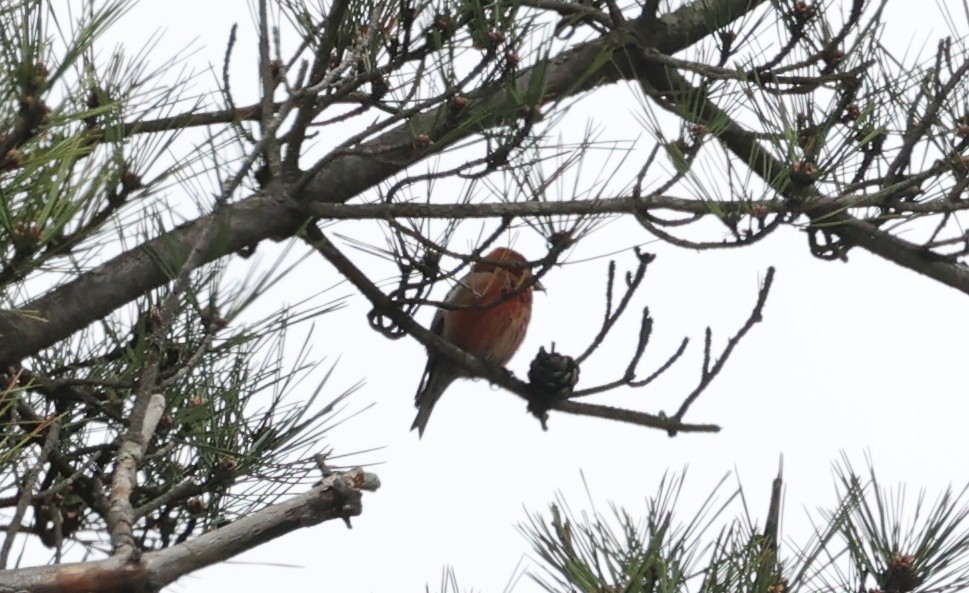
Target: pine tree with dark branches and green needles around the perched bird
150	420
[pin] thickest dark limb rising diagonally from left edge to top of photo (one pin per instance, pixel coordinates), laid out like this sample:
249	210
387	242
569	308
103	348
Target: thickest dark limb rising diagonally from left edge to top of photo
93	295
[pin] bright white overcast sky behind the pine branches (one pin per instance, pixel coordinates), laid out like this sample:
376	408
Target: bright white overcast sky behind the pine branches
854	357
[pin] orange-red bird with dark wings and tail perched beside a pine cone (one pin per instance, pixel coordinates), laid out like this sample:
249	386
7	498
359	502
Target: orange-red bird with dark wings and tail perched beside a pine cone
488	323
